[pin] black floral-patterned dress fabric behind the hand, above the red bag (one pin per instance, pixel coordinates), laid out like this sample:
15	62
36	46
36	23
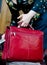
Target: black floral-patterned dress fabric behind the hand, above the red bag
14	9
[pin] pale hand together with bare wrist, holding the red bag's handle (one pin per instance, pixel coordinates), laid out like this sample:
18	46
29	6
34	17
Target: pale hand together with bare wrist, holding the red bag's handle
25	19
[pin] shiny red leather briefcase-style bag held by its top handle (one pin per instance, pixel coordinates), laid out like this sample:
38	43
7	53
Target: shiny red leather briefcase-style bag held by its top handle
23	45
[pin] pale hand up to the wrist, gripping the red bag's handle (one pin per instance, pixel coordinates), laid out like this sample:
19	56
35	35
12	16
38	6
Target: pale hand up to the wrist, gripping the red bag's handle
24	20
